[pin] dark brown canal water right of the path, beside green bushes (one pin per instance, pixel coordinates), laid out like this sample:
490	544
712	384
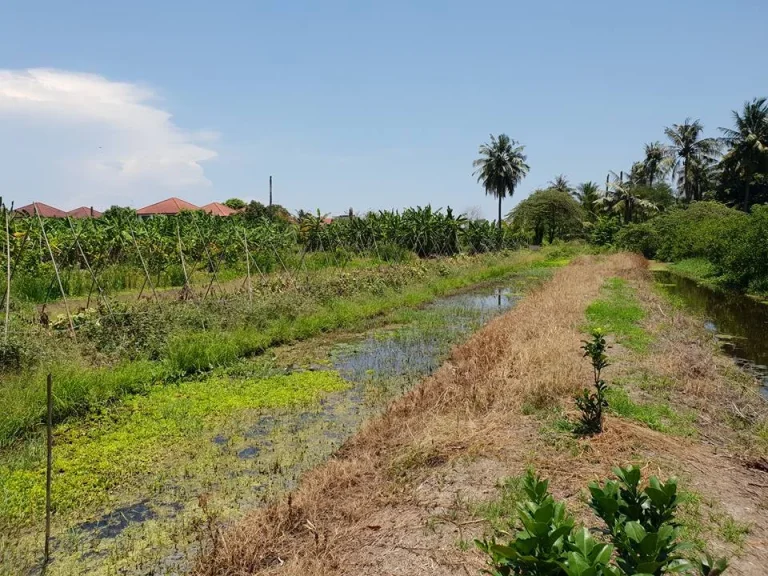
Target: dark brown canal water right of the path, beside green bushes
739	323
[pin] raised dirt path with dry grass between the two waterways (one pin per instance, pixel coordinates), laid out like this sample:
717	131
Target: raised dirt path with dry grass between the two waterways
405	496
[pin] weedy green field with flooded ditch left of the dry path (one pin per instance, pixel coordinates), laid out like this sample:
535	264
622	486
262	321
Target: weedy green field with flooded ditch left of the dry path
170	416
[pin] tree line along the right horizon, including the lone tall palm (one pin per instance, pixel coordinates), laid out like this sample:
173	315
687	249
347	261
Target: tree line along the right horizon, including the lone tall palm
687	167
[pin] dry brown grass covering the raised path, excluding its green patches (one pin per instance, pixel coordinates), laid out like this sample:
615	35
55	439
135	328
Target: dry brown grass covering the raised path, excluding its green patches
456	434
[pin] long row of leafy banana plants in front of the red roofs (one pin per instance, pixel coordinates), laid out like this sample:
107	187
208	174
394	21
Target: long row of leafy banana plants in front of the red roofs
125	252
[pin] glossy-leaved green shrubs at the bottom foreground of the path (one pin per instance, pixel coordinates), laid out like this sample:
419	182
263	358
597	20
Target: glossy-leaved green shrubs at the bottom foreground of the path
641	524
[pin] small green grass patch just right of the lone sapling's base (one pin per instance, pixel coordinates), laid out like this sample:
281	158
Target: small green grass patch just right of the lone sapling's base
658	416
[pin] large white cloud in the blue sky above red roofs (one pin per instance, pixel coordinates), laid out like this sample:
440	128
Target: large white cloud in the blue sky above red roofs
84	139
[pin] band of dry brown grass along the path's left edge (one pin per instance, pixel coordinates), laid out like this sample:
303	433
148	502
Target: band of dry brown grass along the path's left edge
528	355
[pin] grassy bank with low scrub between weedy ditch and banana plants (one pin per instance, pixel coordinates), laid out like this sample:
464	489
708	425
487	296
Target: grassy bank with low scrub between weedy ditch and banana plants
189	338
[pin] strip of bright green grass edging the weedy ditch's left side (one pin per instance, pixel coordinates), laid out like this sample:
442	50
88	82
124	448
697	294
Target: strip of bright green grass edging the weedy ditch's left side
80	389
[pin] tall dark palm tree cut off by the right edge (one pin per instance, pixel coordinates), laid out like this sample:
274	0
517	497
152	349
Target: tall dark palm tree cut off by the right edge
748	143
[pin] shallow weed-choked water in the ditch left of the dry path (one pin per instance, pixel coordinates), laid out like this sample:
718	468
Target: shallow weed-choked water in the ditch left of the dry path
256	455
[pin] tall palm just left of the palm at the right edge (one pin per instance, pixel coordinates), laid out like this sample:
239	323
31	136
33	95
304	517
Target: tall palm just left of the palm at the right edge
688	147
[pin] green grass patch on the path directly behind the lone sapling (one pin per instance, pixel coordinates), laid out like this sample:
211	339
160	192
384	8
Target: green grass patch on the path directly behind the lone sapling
618	312
